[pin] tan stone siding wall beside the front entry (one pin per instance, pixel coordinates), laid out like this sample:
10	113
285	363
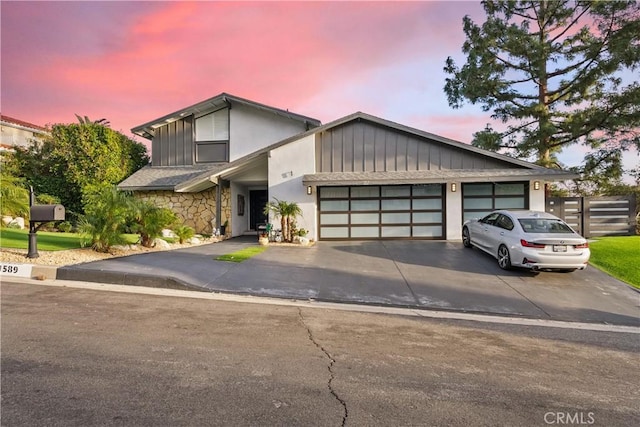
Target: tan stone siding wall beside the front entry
196	210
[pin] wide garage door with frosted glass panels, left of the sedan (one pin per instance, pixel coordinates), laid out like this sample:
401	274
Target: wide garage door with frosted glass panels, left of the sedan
382	212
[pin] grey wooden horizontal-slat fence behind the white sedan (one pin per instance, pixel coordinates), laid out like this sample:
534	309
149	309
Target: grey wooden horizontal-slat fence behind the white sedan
596	216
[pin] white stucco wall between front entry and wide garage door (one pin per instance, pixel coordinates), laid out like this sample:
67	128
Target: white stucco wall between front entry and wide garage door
287	165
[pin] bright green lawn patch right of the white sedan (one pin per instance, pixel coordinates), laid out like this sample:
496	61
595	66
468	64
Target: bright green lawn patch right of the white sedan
618	256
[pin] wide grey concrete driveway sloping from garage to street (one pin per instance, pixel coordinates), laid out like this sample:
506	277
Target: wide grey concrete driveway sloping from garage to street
418	274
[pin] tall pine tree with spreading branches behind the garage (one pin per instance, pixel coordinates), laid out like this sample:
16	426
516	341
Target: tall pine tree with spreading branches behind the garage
553	71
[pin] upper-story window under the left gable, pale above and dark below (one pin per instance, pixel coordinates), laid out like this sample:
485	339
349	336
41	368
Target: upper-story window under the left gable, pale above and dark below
212	137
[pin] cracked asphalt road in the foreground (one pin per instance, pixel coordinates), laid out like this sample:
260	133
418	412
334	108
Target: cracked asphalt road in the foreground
78	357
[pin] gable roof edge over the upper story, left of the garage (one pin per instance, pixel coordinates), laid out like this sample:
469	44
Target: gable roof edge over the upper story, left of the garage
218	102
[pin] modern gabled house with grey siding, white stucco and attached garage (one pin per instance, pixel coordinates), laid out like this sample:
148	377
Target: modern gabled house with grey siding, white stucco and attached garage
358	177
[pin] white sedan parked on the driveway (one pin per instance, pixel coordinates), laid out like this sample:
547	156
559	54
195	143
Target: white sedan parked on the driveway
535	240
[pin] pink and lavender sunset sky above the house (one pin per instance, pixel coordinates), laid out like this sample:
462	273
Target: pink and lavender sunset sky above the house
131	62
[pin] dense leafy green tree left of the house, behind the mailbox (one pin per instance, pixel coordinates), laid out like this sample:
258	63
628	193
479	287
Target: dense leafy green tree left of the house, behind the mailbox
76	158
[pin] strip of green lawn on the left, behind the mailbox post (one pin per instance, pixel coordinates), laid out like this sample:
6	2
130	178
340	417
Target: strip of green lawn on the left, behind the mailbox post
47	241
